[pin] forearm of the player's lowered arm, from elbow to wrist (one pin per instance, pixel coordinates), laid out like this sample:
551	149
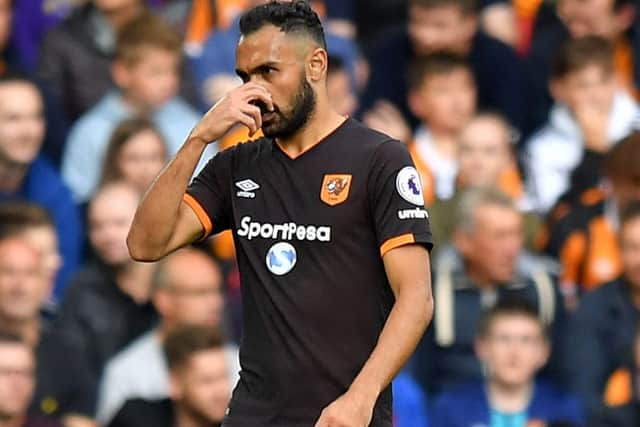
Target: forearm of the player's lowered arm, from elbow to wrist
403	330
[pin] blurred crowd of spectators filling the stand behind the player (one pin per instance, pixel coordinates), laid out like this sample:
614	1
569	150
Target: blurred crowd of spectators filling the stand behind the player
521	116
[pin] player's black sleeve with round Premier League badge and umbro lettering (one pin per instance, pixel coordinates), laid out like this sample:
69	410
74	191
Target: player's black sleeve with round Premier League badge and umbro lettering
397	200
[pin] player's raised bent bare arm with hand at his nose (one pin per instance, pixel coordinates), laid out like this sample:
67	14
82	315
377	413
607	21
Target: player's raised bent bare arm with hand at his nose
164	222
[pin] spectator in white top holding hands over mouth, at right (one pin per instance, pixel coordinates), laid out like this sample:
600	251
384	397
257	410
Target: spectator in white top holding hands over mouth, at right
589	113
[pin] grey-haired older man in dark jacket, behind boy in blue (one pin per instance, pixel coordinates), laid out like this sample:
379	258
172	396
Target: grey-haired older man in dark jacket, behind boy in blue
486	264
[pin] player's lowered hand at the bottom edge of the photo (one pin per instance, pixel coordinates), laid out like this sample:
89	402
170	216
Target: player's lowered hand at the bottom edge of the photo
349	410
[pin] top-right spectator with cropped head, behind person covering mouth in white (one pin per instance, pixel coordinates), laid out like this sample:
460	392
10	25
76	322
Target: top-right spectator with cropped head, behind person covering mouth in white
611	19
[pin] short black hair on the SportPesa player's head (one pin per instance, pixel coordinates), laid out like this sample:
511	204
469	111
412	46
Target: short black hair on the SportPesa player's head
290	17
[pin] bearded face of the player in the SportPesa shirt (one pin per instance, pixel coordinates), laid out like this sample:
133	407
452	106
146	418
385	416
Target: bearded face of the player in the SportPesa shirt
287	67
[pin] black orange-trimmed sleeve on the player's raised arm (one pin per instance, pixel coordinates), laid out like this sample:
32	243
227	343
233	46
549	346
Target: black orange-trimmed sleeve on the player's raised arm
209	194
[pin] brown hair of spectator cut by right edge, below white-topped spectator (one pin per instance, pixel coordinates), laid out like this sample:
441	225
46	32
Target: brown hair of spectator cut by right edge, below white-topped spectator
622	162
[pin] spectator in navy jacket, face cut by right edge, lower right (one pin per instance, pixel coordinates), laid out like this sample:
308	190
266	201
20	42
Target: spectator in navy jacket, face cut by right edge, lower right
601	336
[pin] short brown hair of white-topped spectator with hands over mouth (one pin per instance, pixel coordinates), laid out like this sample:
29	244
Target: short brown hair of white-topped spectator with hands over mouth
577	54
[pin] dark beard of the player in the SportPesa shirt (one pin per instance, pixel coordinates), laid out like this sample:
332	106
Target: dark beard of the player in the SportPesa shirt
286	125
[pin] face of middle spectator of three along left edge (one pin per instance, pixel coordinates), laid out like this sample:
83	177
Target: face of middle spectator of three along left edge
23	288
